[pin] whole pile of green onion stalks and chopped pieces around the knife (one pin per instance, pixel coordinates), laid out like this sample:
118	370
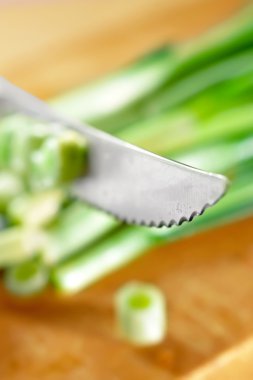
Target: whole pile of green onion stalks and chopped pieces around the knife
191	102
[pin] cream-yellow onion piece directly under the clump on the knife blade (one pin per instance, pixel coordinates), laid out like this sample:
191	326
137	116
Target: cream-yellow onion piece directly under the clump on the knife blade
36	209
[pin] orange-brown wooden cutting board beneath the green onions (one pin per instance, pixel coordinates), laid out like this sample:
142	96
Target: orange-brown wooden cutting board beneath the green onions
48	47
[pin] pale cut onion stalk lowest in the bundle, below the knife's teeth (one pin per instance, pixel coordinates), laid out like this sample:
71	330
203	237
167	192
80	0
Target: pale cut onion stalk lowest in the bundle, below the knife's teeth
102	258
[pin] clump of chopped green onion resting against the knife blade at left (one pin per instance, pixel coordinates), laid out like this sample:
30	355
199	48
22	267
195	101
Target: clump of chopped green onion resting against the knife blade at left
45	155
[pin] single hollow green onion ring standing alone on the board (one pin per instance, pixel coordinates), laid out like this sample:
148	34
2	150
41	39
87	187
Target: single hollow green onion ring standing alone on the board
141	313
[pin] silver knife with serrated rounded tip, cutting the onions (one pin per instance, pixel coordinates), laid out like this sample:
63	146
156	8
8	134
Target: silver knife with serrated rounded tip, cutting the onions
133	184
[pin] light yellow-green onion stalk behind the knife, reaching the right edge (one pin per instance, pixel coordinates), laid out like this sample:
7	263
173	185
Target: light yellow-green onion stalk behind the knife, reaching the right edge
173	132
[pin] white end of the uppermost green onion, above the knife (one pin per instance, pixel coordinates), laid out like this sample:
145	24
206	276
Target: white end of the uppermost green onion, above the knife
111	103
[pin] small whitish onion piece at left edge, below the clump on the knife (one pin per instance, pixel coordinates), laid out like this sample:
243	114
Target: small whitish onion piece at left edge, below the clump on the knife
10	186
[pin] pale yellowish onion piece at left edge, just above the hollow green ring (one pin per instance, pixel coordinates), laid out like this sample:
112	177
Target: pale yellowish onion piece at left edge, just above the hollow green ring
18	244
